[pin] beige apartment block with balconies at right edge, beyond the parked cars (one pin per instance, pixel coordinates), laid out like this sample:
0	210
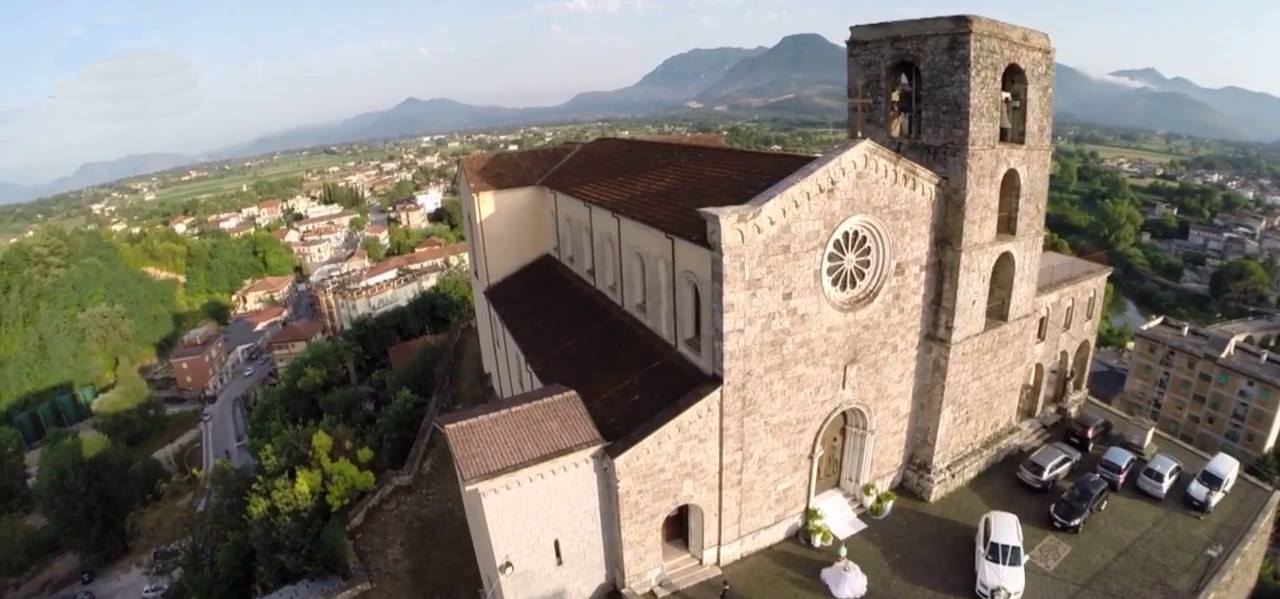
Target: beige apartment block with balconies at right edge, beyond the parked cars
1212	388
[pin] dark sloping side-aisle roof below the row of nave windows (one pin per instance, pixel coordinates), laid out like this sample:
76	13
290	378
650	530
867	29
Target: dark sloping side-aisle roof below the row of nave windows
570	335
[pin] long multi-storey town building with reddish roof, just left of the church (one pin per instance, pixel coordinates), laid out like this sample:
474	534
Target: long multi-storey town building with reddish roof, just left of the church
394	282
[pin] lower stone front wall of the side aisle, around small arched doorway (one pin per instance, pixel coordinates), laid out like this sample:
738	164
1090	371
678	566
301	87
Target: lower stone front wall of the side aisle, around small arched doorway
679	465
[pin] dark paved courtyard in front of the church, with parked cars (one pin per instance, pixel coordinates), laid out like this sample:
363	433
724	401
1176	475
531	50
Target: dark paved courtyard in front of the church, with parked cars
1136	548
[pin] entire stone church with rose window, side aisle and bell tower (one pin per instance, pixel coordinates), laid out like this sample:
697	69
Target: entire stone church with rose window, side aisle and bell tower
694	344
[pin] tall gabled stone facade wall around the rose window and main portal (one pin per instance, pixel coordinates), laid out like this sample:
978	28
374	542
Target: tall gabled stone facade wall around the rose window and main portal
792	358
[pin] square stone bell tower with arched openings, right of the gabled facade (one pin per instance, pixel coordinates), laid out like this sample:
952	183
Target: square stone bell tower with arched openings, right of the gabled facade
972	99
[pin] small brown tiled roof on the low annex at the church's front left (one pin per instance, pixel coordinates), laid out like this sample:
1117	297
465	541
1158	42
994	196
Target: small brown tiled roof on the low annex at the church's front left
518	432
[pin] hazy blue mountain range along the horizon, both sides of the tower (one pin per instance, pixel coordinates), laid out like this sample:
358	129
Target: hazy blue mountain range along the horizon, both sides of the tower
803	76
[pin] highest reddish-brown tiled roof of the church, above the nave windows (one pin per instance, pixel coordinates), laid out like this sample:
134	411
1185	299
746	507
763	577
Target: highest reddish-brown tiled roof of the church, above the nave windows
659	184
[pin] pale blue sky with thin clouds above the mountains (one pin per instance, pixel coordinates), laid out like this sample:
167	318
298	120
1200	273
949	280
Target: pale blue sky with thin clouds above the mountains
98	80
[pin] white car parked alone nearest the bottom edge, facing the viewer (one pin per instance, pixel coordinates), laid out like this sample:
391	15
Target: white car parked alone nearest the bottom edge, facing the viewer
999	557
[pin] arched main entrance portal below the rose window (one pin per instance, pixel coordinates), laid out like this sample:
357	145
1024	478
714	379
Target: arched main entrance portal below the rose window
843	452
